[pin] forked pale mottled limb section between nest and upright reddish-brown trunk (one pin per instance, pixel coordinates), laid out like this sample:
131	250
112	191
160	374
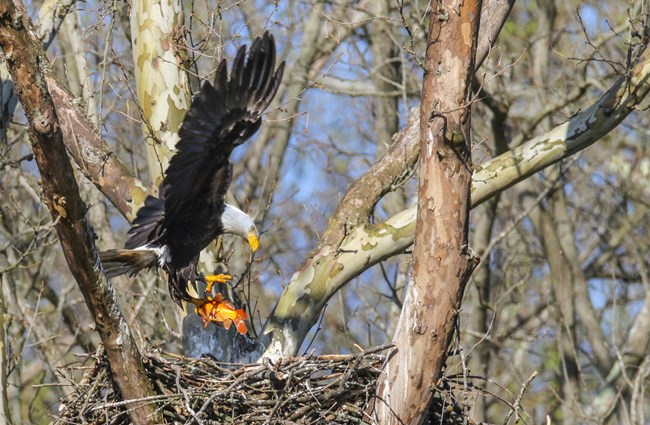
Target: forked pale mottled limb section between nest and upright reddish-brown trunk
349	246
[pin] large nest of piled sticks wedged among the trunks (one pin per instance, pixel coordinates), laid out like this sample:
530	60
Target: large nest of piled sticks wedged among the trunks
326	389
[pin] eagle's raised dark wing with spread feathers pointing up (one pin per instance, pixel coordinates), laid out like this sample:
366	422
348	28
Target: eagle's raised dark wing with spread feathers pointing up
221	117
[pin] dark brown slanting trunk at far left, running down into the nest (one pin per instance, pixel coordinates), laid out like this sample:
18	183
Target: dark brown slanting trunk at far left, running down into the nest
26	58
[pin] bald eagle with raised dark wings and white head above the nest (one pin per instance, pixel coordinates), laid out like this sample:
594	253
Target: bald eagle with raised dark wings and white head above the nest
170	230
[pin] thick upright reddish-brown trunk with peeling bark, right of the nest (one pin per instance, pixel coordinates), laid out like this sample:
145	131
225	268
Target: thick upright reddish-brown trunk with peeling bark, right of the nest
442	261
